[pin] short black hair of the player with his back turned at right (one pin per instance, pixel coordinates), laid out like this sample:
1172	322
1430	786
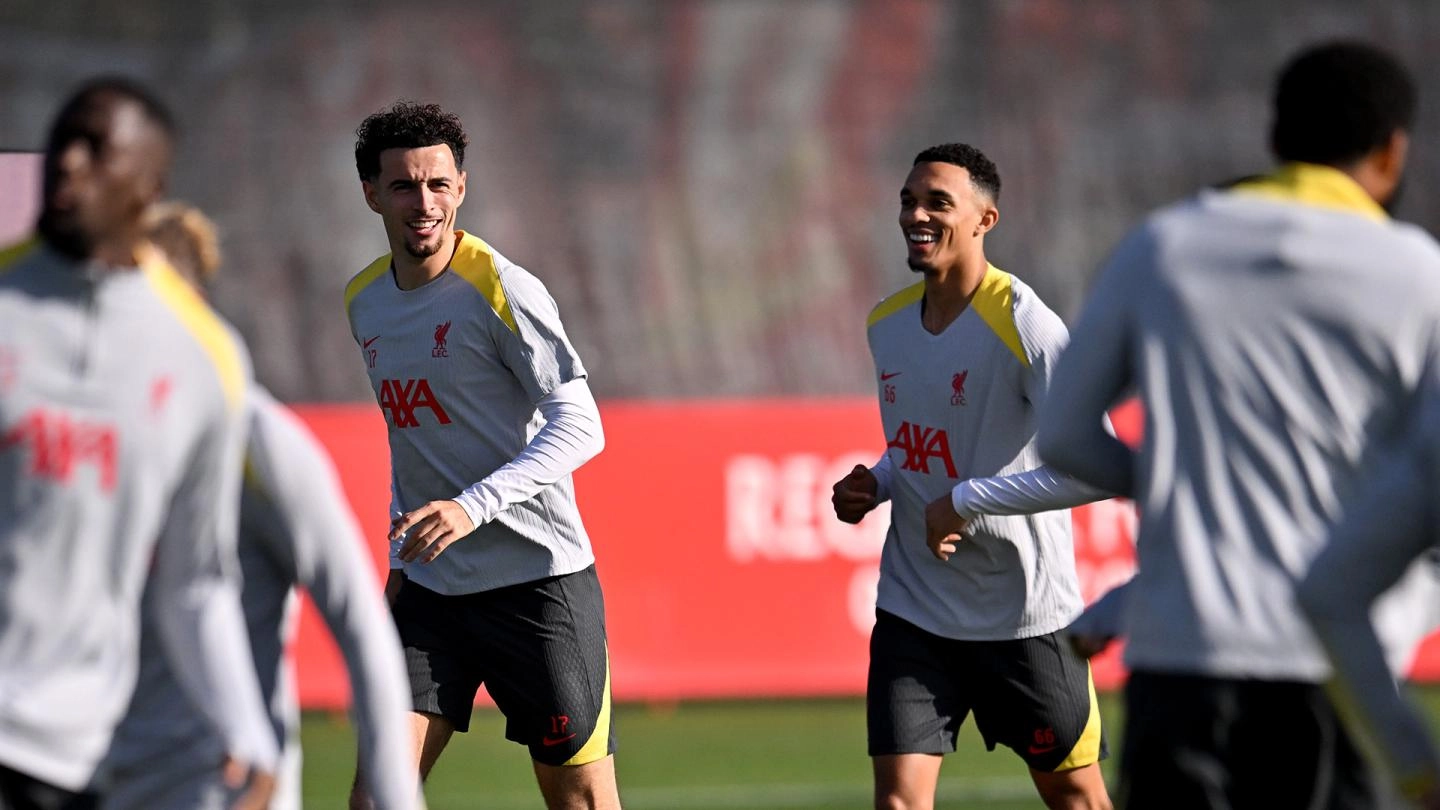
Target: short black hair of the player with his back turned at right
1338	102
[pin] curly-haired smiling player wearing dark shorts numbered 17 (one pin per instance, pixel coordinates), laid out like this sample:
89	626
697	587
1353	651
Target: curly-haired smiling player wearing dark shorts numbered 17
489	416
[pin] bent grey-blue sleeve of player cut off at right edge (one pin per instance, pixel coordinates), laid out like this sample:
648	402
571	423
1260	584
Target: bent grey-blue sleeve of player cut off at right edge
1357	566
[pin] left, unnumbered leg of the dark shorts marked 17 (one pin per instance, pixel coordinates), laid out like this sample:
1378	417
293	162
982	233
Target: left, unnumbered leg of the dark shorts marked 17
441	661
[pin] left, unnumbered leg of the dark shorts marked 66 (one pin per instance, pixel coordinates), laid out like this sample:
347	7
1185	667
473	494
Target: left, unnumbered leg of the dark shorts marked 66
915	691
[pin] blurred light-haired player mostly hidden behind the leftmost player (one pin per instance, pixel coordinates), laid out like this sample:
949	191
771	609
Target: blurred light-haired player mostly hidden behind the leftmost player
296	530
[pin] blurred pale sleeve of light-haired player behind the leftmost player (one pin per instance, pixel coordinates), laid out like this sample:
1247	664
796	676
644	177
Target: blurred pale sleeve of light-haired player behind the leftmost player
320	540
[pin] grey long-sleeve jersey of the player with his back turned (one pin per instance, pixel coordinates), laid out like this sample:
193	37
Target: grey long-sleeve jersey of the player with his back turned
1277	332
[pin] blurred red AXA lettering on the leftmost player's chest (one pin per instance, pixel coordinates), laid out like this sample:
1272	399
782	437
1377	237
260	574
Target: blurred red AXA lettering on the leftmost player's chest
60	445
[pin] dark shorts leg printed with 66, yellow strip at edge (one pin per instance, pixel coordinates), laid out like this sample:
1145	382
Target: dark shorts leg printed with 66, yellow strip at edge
1038	698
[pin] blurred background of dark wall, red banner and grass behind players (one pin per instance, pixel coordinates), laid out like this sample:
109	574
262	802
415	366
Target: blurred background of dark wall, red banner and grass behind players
709	190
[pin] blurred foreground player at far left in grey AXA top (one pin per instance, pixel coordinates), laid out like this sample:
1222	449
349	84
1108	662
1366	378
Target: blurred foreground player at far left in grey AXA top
122	427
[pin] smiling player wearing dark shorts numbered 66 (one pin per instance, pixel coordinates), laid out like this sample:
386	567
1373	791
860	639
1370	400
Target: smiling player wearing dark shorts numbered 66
978	569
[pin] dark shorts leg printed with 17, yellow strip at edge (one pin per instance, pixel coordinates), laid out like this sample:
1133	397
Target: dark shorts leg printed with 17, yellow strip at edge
549	669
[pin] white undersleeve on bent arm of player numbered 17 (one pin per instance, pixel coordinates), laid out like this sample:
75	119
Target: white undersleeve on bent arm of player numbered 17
571	437
